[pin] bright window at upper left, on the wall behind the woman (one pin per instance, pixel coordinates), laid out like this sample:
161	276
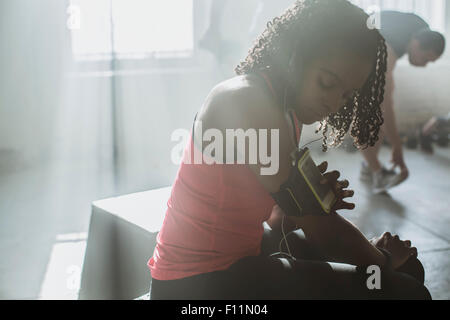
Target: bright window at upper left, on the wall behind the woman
142	28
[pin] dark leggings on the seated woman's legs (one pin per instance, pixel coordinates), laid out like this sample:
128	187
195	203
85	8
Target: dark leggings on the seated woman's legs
307	277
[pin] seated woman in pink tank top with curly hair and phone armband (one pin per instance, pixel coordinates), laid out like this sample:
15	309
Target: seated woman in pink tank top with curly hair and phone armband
316	62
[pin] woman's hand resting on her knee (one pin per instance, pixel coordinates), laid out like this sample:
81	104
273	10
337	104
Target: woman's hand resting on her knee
400	250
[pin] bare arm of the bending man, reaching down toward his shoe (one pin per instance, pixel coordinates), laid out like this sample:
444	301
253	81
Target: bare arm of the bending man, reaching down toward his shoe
390	124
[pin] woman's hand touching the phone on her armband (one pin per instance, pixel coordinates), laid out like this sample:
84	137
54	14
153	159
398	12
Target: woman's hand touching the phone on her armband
338	187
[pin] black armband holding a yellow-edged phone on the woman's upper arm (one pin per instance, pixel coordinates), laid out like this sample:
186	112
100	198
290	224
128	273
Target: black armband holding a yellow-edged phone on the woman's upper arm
302	194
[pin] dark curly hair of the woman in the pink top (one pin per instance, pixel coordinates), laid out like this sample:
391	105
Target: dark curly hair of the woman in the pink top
309	28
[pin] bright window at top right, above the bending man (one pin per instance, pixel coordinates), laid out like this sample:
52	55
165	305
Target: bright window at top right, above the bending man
432	11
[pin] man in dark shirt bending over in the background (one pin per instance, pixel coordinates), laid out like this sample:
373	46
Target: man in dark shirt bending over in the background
405	33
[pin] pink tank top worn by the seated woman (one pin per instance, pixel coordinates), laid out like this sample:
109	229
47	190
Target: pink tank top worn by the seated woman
214	217
